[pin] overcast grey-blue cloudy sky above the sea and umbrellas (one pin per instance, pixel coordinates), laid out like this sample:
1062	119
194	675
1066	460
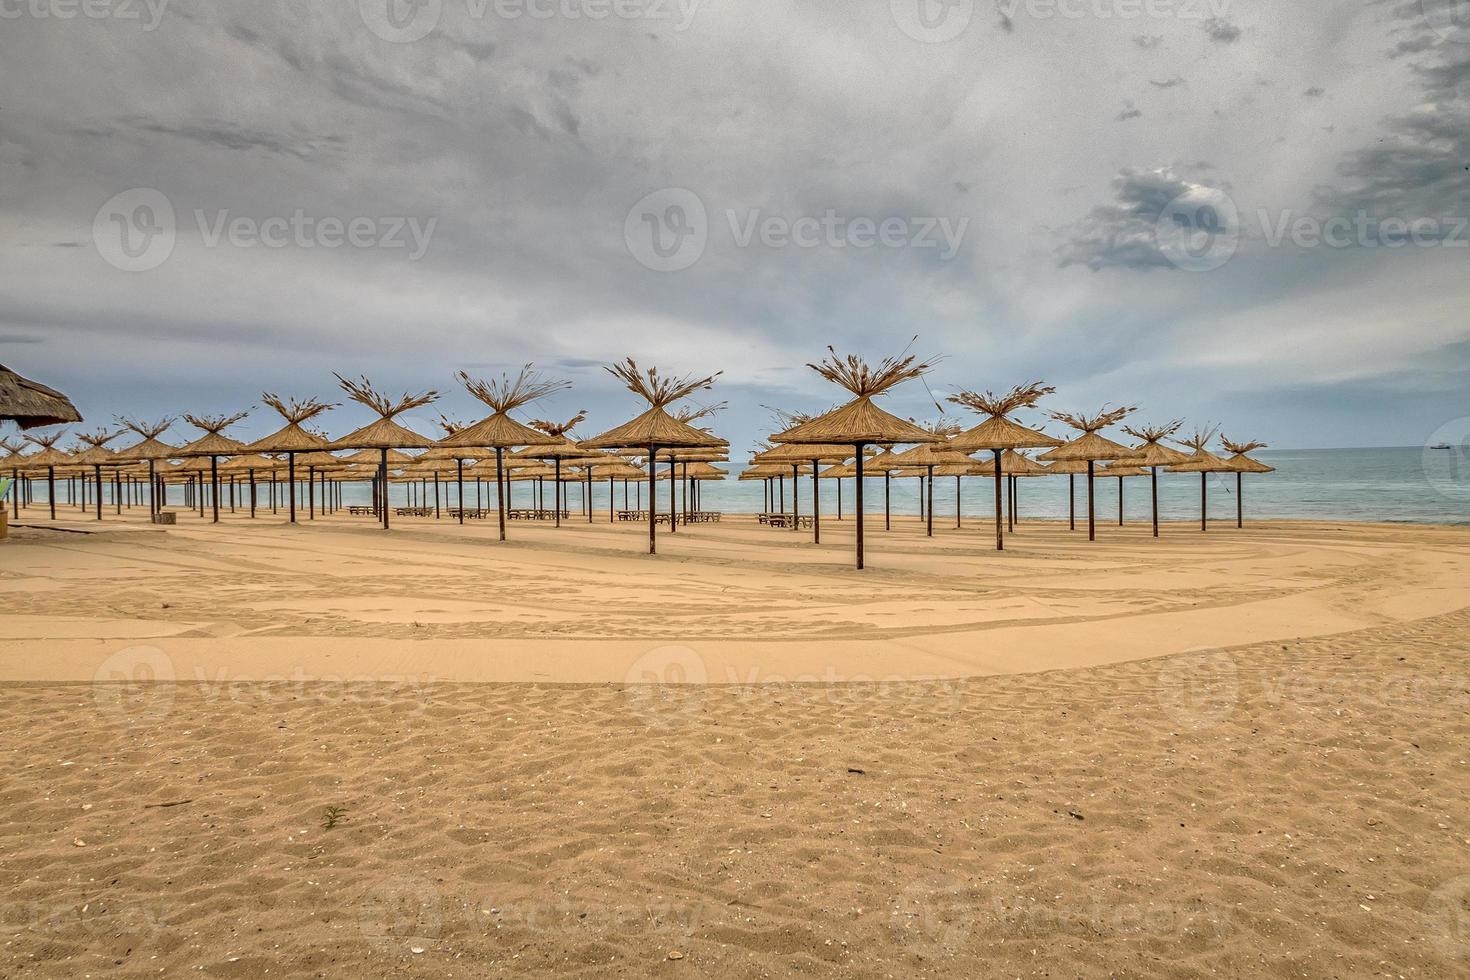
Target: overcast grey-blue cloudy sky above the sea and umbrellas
1071	192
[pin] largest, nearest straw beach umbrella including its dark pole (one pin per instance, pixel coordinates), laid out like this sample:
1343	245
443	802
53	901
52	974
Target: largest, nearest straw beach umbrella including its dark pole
862	424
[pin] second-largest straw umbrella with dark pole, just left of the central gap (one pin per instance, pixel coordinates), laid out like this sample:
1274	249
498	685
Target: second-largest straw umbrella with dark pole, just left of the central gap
656	430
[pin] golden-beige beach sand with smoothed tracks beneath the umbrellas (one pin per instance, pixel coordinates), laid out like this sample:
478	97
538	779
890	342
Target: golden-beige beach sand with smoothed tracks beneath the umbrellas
1288	800
